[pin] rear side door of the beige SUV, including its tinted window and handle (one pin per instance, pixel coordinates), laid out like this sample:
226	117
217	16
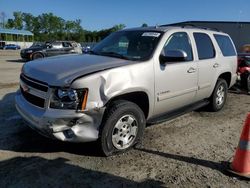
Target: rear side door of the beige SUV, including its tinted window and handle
207	65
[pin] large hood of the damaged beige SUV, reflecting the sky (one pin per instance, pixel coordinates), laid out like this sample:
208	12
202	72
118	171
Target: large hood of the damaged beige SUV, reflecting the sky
62	70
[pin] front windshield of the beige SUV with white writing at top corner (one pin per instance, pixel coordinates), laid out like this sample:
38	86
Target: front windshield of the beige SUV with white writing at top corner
131	45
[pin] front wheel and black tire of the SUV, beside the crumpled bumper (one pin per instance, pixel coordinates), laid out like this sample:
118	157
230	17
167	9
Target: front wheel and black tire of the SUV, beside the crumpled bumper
117	120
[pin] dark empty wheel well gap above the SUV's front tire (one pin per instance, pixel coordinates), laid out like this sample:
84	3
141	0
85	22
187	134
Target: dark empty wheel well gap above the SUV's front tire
140	98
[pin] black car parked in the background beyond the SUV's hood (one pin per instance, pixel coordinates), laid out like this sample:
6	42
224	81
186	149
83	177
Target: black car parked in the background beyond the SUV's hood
47	49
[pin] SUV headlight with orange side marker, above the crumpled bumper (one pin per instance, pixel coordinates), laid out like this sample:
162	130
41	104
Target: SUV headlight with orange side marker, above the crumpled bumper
74	99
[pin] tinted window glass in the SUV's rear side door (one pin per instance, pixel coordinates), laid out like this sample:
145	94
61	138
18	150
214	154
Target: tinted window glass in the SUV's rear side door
204	46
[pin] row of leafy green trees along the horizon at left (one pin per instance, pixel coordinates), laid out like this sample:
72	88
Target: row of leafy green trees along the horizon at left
48	26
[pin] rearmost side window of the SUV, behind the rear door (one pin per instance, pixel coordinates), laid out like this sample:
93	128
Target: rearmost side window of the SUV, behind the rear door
225	45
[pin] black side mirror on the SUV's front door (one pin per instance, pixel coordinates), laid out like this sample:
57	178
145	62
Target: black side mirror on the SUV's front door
173	56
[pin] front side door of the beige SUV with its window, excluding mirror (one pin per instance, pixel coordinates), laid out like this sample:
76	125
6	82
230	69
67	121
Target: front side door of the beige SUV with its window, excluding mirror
175	82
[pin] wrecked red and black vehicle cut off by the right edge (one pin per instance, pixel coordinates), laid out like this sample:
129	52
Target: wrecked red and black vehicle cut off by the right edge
244	70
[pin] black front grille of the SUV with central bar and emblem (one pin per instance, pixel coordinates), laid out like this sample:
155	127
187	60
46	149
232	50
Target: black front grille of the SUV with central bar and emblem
33	91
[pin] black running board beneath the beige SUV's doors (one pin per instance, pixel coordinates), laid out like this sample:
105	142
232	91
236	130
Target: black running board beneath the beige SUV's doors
173	114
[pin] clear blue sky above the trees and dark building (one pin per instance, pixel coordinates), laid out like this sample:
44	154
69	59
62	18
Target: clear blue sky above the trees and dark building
101	14
